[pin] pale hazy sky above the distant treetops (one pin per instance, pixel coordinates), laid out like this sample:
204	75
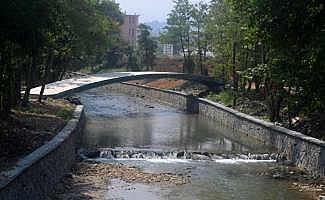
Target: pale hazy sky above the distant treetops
149	10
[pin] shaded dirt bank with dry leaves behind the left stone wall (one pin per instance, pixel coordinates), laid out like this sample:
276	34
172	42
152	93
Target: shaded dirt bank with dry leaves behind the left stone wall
28	128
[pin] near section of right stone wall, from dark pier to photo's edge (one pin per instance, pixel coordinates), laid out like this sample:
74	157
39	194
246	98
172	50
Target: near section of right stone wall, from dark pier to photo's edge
305	152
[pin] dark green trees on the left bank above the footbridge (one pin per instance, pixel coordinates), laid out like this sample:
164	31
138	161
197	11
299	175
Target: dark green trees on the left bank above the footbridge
41	39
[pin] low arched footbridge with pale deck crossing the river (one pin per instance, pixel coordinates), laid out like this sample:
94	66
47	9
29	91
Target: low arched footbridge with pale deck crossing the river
68	86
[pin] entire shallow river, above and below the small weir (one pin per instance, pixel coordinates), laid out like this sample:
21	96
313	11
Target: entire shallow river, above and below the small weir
120	123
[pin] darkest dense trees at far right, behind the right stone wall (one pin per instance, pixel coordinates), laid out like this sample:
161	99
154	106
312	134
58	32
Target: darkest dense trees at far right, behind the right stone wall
292	33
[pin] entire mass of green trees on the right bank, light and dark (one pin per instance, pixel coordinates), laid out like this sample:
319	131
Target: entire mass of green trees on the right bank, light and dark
274	45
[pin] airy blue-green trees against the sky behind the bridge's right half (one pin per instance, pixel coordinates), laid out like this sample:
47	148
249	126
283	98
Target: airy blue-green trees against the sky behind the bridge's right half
185	30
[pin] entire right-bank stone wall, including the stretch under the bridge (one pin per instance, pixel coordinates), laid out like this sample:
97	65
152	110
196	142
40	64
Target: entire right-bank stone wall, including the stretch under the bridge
305	152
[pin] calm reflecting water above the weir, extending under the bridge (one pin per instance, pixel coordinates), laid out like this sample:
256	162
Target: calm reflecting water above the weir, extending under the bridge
118	120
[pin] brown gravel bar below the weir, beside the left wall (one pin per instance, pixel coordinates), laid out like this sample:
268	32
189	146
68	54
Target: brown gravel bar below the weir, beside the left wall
90	180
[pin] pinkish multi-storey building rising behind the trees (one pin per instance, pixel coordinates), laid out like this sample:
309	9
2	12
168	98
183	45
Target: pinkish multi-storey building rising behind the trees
129	29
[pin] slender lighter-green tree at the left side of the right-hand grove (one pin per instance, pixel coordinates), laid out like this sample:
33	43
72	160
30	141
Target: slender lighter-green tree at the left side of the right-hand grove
227	31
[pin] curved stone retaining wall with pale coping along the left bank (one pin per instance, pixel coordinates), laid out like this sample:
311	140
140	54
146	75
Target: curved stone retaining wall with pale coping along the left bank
37	175
